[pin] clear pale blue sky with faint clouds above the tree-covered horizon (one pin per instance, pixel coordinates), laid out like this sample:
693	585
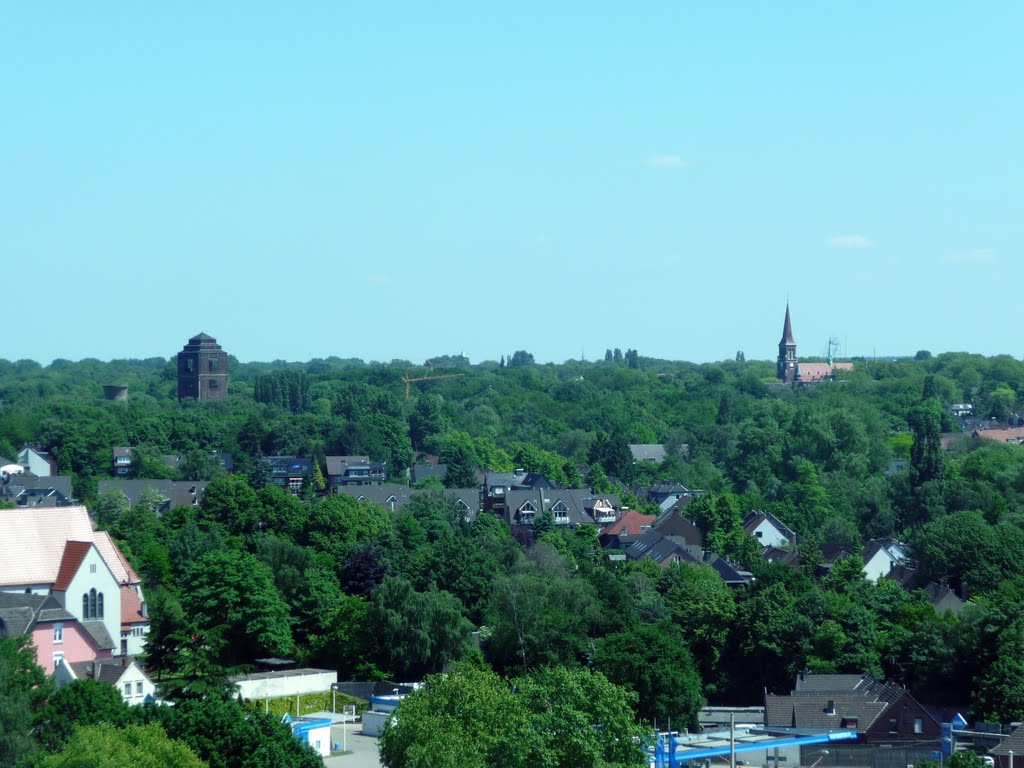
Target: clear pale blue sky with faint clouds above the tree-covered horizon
400	181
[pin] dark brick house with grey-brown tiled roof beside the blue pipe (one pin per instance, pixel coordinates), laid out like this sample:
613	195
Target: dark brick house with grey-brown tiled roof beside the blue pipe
883	714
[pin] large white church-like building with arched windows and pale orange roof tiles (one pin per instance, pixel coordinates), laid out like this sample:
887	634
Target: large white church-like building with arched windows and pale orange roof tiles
55	553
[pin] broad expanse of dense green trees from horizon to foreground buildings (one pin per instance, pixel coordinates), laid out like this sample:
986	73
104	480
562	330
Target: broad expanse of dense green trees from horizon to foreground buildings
376	594
